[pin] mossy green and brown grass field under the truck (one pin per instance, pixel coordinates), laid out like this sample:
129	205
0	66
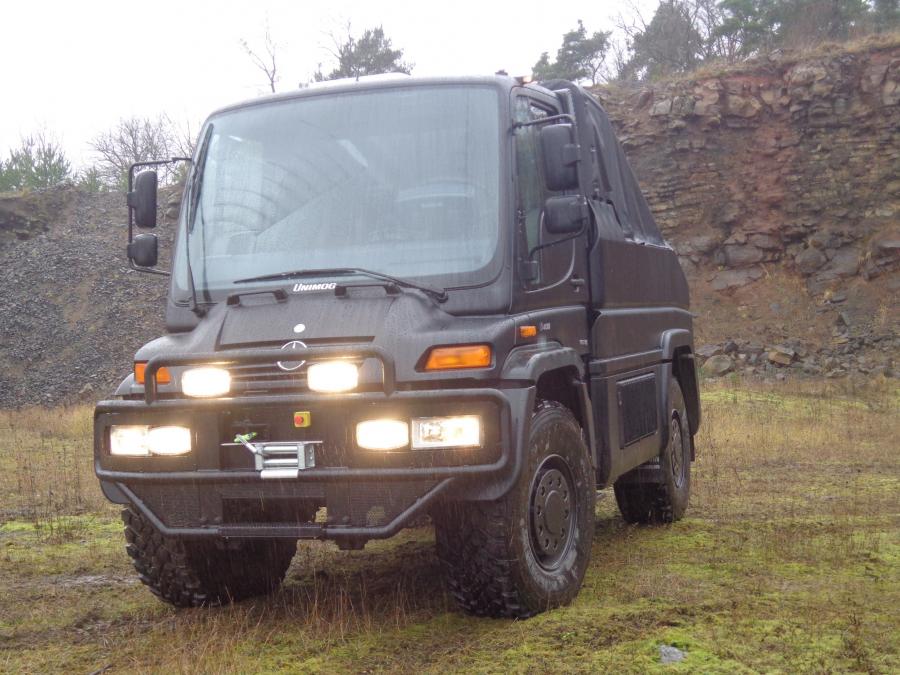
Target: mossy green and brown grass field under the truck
788	561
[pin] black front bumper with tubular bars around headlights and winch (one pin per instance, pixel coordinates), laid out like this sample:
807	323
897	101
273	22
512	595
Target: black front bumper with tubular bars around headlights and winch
215	491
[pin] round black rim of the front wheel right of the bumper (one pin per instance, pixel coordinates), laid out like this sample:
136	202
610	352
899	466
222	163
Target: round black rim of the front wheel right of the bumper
552	512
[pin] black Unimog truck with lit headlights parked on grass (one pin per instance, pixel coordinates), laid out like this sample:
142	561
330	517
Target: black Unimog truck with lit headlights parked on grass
401	297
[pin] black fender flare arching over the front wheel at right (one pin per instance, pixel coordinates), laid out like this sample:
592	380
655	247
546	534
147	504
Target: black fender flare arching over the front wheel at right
528	364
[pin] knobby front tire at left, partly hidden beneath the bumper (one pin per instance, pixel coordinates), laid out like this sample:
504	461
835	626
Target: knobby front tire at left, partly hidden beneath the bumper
193	573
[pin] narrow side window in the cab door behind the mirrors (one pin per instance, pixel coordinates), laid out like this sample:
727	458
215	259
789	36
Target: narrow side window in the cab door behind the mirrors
531	190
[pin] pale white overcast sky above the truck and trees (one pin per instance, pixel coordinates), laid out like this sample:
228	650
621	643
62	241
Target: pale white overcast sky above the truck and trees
73	68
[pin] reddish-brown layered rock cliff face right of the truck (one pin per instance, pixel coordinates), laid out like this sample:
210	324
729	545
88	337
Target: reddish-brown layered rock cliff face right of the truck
778	182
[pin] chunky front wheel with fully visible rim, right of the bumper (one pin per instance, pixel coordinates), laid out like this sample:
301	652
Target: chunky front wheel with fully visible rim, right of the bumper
528	551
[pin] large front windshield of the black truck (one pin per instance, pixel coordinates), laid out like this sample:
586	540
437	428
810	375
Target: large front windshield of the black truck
402	181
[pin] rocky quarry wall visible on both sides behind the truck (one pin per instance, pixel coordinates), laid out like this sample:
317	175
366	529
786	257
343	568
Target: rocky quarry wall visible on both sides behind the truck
778	183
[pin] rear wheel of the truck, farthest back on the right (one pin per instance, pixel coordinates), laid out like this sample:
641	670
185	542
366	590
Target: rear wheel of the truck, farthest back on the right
664	501
